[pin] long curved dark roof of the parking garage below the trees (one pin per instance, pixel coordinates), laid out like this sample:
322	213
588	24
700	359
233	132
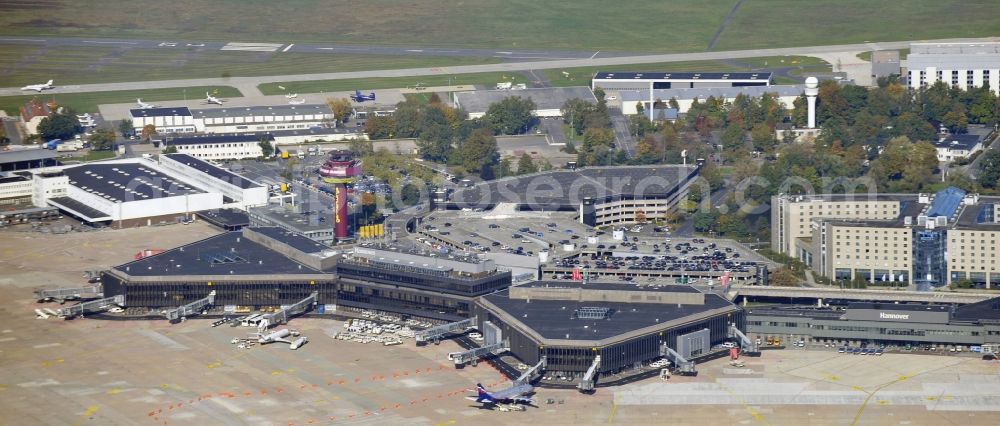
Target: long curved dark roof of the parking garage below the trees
568	188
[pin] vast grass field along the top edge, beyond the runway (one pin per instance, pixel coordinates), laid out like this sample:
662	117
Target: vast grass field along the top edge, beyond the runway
639	25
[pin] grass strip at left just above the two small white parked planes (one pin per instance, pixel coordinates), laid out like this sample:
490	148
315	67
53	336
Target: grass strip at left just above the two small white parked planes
88	102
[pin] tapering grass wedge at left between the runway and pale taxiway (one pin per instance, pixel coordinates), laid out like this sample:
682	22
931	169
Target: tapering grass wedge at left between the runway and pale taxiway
22	65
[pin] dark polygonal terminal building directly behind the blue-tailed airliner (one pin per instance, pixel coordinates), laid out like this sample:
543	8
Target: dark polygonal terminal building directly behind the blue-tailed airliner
570	323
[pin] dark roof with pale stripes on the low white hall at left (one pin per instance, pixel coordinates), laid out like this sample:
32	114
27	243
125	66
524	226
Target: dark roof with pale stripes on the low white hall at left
126	182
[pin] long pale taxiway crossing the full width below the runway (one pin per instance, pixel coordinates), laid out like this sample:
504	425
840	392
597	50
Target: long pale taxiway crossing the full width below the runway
248	84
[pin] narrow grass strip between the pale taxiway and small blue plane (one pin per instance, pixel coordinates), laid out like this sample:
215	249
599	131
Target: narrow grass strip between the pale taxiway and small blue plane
320	86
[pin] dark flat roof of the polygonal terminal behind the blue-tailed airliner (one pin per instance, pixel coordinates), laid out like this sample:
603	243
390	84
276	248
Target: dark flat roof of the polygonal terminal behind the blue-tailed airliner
554	319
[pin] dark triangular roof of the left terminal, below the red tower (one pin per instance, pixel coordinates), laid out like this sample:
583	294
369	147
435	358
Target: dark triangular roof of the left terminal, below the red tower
224	254
